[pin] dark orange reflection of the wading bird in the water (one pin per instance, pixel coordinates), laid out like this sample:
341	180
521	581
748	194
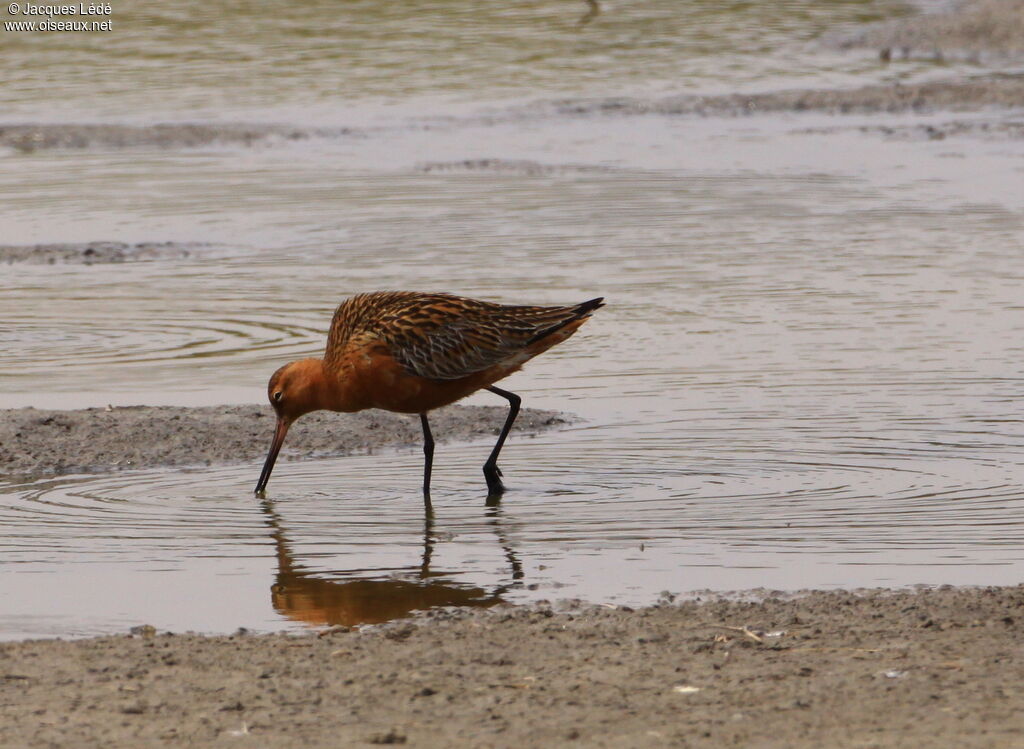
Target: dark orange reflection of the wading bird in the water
300	595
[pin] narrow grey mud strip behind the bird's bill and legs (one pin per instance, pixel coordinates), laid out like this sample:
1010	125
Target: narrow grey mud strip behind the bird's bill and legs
37	443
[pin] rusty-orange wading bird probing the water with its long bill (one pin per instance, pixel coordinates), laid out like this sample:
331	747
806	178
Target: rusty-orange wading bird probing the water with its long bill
413	353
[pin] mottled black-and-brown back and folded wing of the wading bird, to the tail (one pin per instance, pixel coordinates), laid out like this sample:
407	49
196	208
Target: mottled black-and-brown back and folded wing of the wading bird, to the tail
441	337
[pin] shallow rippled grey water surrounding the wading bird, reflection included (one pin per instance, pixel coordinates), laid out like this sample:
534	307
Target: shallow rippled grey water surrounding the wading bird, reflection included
808	373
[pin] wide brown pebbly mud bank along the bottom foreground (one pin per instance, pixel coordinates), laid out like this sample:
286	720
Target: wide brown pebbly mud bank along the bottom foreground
881	670
